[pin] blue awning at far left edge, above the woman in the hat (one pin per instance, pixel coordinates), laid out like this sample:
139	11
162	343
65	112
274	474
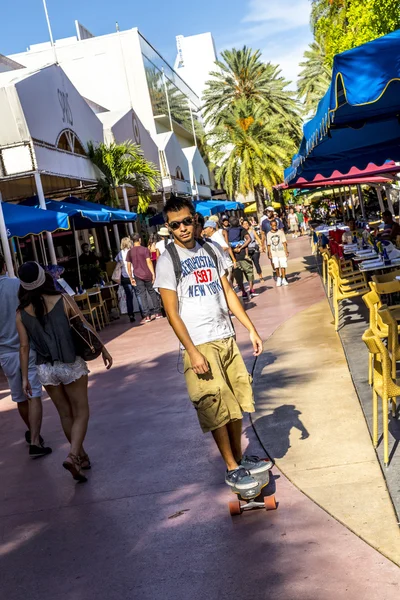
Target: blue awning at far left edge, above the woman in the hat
23	220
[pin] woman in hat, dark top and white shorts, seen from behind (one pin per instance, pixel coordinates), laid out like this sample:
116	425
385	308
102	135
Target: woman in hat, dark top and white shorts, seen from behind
43	323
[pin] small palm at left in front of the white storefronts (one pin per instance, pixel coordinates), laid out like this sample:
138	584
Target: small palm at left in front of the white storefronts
123	164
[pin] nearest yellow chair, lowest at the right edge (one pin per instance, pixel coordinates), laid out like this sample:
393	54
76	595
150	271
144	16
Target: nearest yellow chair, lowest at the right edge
384	387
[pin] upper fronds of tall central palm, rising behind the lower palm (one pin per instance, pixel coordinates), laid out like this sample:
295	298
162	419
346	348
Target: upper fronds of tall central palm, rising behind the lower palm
242	75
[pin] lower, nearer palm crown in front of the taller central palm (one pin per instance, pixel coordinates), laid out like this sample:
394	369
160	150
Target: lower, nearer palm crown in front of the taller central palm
251	150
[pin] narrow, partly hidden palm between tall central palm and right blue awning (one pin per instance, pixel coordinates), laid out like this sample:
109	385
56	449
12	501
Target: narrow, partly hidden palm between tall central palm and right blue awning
314	79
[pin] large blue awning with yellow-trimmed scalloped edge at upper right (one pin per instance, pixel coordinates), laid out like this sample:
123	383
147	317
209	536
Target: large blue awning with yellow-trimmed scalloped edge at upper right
357	121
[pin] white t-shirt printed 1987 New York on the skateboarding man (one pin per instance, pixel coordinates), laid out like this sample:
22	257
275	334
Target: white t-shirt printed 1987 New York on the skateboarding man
202	304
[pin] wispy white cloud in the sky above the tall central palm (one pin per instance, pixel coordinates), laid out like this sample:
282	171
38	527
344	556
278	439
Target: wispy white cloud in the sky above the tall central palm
280	29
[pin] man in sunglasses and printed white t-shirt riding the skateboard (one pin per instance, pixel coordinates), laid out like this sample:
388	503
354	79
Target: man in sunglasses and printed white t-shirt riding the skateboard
197	298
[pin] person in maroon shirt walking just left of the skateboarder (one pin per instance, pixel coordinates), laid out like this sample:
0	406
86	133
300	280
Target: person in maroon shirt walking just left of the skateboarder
139	258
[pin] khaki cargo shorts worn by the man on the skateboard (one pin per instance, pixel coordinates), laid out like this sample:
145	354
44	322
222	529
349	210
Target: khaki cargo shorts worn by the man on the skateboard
223	394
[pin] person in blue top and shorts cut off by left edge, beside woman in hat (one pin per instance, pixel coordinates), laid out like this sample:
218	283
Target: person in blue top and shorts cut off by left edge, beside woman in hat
29	407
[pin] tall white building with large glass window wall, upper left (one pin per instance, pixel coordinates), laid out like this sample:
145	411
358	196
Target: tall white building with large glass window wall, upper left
122	72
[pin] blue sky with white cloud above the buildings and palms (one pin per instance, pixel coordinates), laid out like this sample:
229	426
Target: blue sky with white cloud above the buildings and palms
277	27
